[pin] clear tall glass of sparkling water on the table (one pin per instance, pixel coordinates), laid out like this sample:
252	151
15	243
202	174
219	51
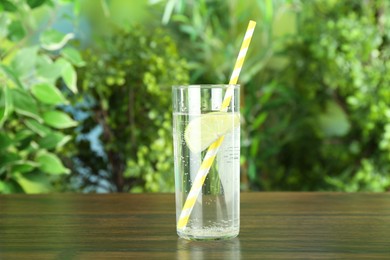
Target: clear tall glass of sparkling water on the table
197	122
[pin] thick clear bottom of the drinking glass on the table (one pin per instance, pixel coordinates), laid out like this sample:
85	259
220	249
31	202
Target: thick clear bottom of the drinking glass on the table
204	235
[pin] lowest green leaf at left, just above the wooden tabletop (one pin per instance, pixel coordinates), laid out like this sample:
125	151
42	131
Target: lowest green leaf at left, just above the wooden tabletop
33	182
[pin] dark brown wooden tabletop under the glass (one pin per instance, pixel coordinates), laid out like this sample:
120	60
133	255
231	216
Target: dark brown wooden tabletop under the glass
130	226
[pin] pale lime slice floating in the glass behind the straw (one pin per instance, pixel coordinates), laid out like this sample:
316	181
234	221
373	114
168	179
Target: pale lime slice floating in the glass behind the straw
202	131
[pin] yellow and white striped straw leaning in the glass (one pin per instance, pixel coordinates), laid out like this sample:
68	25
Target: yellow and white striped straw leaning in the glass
214	147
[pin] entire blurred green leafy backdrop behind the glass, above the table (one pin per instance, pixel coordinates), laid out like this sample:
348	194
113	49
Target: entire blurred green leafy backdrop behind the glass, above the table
85	91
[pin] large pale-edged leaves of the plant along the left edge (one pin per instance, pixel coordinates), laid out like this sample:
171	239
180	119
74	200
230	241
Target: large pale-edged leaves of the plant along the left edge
30	97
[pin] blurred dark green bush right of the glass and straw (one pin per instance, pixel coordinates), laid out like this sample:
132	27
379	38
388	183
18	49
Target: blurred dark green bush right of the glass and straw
327	119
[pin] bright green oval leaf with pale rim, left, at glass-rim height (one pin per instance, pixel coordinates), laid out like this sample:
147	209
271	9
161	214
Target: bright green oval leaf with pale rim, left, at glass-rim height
48	94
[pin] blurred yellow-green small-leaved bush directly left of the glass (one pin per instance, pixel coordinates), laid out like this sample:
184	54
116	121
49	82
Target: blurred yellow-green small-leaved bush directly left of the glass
128	77
